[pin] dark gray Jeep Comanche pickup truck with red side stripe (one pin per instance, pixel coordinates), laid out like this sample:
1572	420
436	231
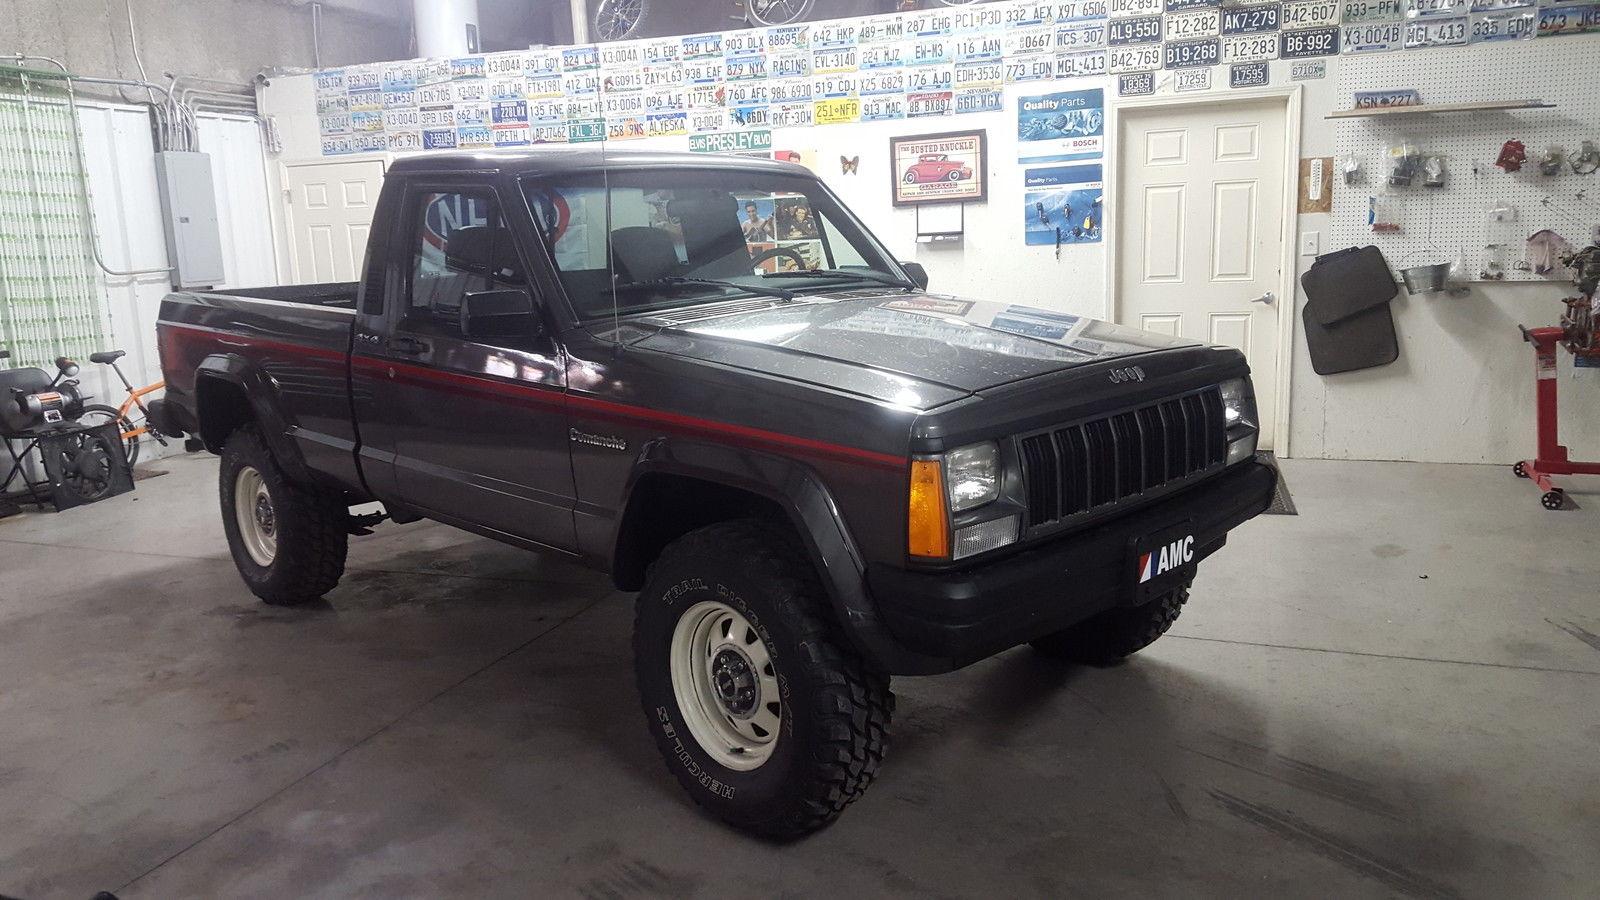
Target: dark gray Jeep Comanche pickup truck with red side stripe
708	379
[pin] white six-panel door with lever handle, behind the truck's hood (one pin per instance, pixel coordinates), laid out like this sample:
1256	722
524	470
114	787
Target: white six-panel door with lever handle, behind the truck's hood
1201	238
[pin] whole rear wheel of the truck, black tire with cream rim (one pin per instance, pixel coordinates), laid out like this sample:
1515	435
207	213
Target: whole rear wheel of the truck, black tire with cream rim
289	540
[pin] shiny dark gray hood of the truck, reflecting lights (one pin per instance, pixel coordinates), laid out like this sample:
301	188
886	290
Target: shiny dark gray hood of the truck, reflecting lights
911	350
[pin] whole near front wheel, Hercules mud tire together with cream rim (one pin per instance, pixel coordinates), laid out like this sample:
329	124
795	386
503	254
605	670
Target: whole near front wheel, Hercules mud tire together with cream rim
761	710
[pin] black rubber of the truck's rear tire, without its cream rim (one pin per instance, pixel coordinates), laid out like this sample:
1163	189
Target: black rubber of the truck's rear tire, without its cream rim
313	528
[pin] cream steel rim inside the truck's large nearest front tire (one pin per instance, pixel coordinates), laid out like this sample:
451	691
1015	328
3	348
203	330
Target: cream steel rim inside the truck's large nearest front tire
726	685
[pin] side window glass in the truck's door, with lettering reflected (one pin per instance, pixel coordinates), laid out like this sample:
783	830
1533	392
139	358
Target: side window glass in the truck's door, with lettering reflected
460	246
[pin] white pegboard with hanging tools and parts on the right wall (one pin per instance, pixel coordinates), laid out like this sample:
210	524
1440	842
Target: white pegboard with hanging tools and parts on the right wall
1449	225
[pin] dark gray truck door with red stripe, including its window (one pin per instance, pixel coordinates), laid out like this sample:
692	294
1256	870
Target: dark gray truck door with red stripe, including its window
479	428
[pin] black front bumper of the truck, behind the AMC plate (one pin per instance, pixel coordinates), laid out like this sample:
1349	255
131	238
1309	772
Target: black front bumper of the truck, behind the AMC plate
954	619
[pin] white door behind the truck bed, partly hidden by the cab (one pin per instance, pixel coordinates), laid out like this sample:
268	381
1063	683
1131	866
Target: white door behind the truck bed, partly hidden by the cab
330	211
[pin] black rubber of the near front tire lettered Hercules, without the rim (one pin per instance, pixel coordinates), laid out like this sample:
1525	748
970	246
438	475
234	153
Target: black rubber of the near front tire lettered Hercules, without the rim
836	710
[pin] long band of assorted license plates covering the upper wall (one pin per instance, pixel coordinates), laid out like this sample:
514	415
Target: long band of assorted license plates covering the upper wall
918	65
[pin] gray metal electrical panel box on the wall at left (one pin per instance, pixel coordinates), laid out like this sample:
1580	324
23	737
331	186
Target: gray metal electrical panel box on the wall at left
190	217
